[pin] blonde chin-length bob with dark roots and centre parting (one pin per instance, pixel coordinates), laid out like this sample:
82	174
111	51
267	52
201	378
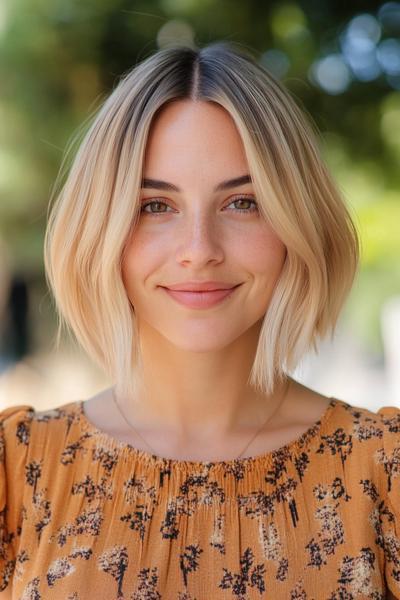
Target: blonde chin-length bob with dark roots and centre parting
97	207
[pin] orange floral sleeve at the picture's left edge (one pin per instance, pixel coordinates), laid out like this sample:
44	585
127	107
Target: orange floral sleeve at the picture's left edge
9	467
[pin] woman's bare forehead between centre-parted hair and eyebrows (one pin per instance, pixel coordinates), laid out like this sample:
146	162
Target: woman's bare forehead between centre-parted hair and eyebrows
188	133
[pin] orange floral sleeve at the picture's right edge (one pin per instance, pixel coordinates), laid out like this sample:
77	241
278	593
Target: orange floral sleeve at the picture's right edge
387	458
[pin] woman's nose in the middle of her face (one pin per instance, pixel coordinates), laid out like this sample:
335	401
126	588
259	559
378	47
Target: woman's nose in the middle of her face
199	240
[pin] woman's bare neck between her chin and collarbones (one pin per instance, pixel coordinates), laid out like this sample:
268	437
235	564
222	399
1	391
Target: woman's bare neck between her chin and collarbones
181	389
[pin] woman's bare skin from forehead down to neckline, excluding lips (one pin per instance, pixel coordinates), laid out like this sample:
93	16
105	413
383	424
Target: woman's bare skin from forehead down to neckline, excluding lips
196	403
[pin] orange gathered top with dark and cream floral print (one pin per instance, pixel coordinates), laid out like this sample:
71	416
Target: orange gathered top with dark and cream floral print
86	516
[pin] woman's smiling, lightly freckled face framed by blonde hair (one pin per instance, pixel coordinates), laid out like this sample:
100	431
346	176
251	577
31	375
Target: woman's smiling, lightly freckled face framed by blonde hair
197	232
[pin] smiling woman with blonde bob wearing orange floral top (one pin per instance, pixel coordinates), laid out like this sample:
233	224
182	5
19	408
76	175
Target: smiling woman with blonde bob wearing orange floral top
197	249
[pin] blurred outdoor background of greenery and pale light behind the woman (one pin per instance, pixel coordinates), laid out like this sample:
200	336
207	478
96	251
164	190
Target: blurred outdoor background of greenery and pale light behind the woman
341	61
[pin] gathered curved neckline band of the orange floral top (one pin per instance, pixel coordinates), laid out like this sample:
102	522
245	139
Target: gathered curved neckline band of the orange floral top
156	460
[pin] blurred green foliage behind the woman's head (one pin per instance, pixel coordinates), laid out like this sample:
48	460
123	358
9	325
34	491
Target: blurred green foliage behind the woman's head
59	58
